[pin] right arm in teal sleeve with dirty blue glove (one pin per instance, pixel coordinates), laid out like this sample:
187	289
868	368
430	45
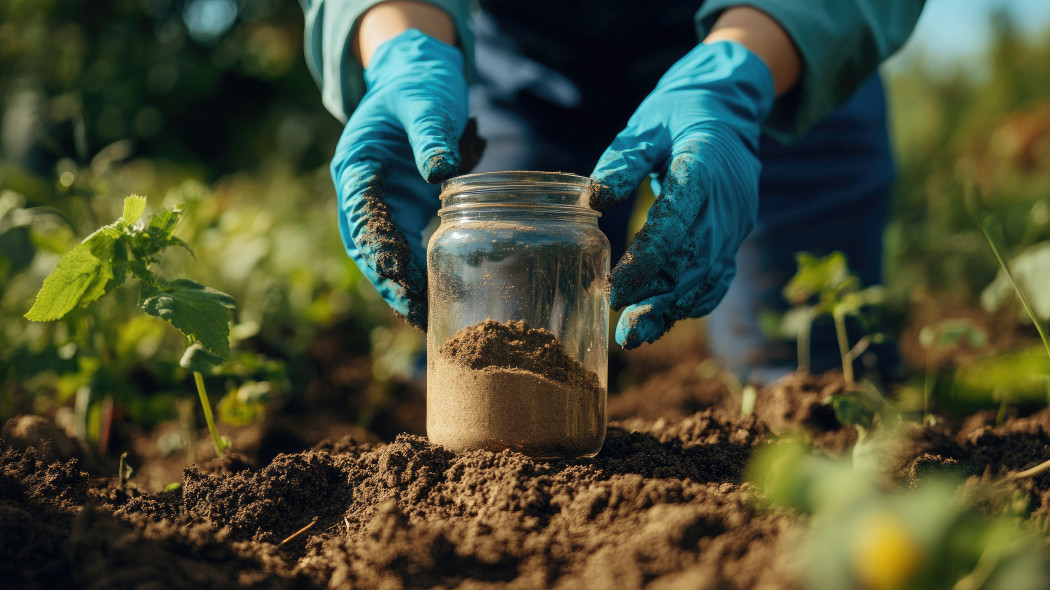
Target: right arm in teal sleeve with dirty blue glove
700	133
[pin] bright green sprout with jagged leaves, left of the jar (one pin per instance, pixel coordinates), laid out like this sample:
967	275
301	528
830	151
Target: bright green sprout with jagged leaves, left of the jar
103	262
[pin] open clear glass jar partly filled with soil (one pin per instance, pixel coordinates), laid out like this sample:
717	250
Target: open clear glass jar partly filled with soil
517	343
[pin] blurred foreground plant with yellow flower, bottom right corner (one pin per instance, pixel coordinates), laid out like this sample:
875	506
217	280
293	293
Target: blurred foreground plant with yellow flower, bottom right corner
864	535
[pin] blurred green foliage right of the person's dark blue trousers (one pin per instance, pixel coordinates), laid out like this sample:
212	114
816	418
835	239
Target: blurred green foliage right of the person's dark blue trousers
973	141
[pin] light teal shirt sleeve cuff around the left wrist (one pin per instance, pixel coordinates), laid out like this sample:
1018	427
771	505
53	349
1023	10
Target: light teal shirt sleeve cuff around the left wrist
329	28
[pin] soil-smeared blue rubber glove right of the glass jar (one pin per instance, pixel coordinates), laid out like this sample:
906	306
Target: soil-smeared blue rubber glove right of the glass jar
699	131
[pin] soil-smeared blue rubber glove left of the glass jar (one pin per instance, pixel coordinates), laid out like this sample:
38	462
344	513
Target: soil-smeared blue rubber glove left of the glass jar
414	112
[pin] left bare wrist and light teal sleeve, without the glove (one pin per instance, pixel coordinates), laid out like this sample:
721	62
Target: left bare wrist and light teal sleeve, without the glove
334	47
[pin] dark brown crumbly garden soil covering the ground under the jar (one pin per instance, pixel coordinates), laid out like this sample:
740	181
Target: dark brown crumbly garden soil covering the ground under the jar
664	505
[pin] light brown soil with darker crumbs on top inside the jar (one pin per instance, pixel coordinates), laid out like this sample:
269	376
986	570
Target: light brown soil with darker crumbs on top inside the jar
497	386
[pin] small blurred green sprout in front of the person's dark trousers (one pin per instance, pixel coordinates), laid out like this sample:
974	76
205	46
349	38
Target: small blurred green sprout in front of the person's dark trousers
826	287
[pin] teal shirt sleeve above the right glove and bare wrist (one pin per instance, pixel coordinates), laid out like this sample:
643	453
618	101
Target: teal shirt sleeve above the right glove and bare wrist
842	44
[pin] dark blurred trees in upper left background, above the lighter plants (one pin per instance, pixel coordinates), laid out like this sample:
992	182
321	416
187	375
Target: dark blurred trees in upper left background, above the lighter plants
218	87
